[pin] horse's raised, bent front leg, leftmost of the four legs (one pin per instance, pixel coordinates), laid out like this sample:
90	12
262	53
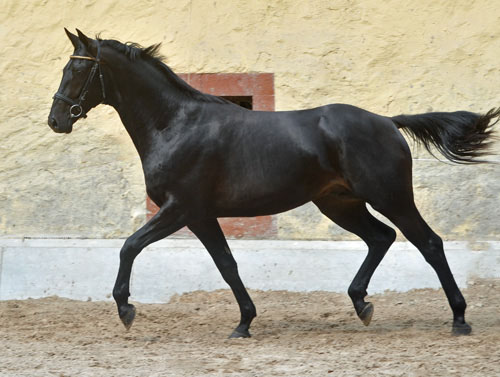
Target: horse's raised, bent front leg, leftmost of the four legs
167	220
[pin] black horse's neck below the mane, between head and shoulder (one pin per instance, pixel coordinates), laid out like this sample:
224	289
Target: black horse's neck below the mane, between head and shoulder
146	101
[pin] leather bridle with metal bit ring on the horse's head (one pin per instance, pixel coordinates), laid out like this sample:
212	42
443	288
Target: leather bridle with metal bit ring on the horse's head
76	110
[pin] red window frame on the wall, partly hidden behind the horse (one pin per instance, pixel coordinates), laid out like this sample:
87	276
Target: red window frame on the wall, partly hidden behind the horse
260	87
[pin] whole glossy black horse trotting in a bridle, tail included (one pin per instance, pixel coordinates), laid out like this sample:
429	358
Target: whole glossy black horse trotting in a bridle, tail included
204	158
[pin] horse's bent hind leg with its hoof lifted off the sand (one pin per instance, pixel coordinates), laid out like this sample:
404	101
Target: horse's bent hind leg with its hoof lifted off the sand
353	216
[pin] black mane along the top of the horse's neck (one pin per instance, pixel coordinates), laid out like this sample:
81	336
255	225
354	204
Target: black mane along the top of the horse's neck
151	54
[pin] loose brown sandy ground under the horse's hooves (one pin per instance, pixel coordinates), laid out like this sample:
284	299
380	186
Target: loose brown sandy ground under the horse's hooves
295	334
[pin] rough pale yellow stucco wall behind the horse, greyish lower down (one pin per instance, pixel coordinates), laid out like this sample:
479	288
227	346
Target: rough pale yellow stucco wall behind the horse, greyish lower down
389	57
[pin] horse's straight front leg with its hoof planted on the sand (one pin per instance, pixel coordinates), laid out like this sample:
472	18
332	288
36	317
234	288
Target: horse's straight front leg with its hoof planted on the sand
211	236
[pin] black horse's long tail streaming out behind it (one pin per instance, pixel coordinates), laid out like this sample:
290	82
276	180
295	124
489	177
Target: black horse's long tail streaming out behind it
461	136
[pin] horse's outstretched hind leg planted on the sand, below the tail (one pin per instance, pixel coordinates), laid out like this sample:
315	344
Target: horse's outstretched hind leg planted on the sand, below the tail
407	218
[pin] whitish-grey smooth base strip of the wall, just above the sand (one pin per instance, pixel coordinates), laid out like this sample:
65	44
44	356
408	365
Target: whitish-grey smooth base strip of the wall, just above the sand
86	269
